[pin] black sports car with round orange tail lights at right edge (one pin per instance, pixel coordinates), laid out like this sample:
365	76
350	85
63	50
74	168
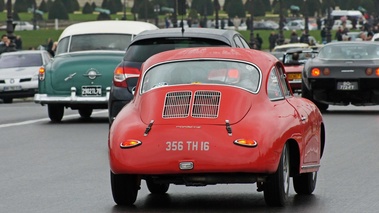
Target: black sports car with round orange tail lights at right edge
343	73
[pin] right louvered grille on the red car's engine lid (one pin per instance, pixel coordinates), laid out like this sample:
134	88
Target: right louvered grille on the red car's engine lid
206	104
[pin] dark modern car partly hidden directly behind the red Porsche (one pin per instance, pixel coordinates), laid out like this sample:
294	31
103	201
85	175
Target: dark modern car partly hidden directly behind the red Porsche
148	43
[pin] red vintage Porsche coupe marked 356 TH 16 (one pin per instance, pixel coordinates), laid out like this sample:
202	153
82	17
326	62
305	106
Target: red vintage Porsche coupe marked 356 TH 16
215	115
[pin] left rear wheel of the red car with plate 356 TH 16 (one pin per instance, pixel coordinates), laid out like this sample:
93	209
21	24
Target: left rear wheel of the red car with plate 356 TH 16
124	188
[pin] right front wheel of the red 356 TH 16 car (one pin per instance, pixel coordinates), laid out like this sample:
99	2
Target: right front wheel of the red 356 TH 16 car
305	183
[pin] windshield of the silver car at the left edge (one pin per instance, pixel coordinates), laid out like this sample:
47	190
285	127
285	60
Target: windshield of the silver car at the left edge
20	60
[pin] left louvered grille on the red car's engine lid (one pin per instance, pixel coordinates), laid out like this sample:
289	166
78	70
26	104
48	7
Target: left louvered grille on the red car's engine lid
177	104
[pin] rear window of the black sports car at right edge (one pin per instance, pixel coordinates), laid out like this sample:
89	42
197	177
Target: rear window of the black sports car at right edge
364	51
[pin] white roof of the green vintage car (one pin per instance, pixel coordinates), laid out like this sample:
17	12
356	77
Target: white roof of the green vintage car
107	26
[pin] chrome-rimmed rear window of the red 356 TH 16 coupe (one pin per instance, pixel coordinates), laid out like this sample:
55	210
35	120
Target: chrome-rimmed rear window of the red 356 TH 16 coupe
219	72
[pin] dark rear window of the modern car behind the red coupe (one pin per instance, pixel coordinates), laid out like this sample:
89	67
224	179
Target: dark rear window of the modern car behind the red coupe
142	50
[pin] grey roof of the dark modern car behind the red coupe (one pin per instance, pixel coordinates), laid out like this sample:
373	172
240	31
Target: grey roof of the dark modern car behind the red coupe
222	35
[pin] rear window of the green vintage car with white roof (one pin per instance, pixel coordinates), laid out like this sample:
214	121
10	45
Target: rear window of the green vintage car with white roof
114	42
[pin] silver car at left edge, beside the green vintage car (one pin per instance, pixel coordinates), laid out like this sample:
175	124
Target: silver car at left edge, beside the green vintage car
19	73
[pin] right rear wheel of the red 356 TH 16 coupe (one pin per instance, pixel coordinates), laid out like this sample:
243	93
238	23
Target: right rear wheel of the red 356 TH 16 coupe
276	188
